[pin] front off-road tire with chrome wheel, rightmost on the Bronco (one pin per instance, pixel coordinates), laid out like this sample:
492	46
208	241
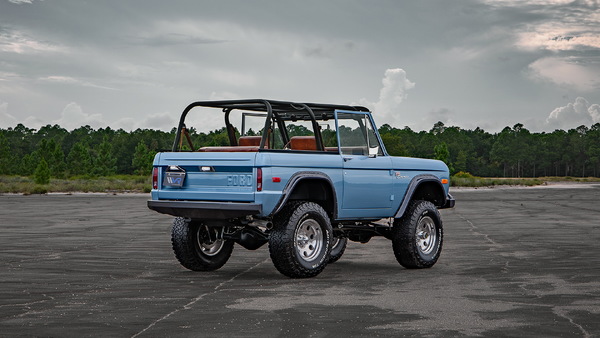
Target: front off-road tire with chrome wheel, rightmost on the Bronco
418	236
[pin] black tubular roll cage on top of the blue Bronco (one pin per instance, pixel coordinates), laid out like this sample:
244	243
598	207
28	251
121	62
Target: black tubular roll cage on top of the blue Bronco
276	111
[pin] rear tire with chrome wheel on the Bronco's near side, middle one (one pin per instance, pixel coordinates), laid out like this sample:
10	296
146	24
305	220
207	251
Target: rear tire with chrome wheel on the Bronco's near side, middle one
300	242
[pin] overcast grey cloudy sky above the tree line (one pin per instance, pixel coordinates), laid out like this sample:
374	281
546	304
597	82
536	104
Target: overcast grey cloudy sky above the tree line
137	64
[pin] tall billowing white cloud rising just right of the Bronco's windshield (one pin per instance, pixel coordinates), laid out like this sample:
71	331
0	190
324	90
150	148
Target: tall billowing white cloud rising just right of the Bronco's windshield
395	84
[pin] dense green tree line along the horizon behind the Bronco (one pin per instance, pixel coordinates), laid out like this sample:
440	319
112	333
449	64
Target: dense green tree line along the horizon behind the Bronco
52	151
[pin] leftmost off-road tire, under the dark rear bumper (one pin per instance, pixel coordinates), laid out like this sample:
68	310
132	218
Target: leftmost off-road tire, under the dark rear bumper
193	248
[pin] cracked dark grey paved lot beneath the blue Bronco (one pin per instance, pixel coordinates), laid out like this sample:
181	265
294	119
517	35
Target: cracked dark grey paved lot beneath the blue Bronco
516	262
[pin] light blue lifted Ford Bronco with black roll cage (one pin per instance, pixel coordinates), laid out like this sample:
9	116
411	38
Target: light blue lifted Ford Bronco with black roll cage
303	177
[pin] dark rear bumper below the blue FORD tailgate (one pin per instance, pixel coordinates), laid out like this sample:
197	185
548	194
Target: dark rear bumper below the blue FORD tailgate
205	210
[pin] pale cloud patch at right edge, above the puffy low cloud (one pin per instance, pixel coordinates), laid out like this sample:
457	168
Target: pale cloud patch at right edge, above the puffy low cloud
570	72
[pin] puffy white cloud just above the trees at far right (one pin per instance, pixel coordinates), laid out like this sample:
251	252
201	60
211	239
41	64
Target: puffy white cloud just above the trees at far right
580	112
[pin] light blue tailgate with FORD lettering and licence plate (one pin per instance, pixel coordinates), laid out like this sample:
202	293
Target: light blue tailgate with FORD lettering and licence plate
205	176
